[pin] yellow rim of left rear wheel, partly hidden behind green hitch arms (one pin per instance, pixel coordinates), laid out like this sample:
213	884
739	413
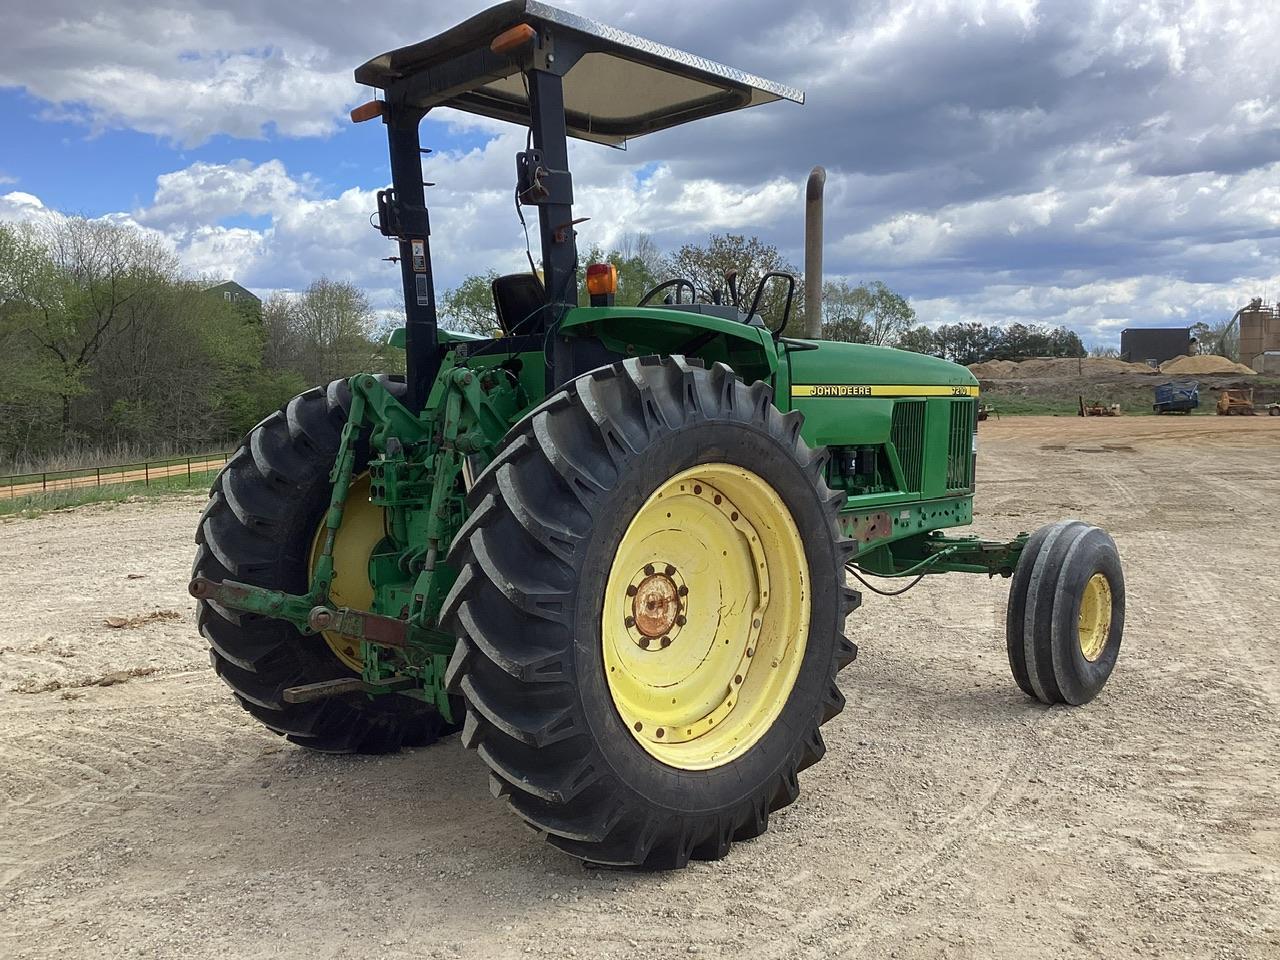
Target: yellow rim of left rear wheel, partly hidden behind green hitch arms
364	525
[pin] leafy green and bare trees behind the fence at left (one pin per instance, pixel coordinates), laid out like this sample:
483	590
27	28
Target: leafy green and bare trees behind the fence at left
107	345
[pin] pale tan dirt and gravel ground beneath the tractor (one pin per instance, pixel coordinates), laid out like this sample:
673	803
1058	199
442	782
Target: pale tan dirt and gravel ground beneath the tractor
143	813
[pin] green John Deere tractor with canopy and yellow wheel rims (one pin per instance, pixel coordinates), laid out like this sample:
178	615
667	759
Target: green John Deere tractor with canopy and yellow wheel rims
610	545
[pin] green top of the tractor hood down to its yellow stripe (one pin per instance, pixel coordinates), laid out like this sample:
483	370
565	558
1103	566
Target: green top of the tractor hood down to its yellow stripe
862	365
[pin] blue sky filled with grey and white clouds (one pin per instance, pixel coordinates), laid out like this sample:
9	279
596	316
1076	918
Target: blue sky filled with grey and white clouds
1103	166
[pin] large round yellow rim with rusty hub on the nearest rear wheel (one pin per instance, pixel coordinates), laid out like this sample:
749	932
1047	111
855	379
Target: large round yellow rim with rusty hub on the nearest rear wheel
706	616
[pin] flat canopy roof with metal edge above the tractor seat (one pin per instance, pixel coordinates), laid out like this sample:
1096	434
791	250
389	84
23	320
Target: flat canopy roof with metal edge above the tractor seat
616	85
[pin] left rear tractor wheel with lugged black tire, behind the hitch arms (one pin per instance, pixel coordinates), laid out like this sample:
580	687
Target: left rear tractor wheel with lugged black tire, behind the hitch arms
260	528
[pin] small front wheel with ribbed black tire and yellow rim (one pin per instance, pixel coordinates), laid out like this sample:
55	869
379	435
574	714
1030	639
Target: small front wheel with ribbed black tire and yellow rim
1066	614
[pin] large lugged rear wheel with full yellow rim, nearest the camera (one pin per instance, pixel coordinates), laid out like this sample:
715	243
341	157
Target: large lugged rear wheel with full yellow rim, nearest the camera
651	611
